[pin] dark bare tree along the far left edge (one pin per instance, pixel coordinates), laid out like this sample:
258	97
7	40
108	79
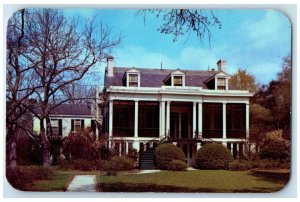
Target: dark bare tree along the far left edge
20	83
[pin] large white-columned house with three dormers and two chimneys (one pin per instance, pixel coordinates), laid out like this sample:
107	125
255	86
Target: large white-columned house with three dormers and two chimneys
144	107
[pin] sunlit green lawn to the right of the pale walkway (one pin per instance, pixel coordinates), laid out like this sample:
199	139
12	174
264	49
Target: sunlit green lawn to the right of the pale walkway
196	181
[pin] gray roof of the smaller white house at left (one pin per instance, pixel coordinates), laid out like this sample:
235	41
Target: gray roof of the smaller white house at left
72	110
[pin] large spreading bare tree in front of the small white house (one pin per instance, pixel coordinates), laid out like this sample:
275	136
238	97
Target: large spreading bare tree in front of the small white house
62	51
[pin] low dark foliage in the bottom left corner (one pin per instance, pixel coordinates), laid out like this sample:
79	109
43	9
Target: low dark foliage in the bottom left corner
22	177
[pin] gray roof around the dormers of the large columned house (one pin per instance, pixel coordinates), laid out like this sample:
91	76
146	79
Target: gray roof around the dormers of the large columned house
155	77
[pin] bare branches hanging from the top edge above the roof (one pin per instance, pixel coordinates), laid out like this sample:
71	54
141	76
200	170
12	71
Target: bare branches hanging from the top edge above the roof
177	22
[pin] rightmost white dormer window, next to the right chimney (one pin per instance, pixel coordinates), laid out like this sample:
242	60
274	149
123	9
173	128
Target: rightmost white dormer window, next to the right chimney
219	81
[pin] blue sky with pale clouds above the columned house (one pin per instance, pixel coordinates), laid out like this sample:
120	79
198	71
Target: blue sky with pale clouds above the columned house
255	40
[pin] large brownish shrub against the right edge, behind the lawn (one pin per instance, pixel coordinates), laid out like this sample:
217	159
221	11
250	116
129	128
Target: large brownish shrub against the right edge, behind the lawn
274	146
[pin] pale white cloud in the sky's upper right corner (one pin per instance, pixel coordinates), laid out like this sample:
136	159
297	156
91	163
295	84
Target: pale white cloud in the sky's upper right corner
269	29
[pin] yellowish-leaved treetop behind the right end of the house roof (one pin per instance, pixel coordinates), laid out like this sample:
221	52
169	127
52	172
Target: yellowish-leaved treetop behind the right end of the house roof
243	80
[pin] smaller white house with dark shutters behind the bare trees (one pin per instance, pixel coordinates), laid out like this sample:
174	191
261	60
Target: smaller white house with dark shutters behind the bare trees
67	118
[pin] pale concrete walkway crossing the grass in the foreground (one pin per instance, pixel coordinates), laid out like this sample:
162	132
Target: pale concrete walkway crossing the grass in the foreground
83	183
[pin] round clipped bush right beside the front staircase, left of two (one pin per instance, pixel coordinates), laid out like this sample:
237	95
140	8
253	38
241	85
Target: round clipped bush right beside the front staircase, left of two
165	153
